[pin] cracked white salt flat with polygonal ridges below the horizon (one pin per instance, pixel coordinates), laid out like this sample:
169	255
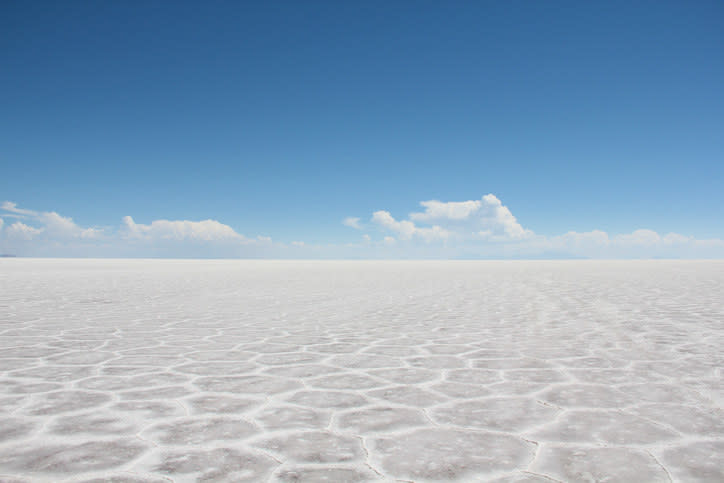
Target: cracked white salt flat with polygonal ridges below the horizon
152	371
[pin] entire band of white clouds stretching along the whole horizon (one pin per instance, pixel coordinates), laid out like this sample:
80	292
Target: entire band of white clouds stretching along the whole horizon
483	228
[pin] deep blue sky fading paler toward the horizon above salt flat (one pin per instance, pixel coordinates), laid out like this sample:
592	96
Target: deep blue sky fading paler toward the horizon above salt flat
282	119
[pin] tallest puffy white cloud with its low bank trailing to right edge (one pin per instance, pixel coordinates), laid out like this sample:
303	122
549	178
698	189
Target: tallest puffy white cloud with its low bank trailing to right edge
486	228
